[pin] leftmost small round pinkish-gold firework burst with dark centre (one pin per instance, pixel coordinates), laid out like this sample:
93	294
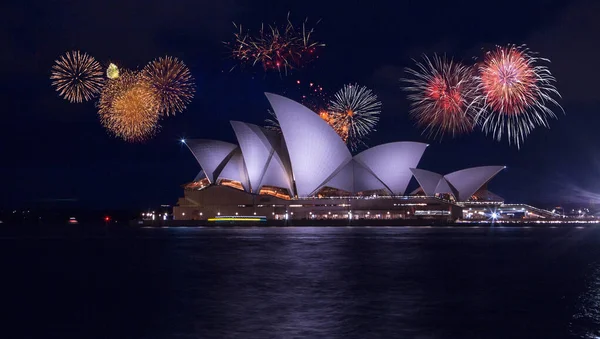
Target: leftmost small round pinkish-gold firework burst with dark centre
77	76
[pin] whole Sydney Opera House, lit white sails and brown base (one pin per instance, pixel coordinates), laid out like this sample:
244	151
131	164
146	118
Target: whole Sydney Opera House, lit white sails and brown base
307	172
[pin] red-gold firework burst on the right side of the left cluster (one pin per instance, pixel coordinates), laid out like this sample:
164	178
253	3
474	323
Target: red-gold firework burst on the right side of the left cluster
172	81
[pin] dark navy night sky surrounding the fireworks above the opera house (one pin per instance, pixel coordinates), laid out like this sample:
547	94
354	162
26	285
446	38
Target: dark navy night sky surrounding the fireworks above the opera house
53	150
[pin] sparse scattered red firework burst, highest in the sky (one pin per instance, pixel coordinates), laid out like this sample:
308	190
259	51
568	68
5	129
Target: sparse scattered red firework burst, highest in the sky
275	48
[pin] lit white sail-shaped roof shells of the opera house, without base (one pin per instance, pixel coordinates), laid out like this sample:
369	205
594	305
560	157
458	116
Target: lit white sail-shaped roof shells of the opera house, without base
311	155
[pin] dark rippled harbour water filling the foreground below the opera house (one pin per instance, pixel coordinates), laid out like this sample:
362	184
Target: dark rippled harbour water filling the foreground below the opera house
306	282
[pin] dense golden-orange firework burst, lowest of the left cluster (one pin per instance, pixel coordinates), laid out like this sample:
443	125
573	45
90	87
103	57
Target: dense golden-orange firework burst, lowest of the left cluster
129	107
